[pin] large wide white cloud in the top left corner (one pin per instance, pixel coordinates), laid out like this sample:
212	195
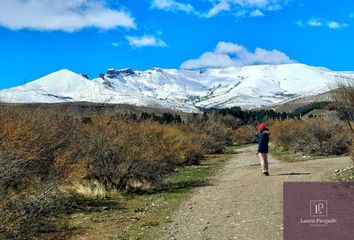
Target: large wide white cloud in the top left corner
64	15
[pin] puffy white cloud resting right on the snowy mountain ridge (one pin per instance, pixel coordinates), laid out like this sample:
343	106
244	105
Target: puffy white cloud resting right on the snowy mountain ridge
228	54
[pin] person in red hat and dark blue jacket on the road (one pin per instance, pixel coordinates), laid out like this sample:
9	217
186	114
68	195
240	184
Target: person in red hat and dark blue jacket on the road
263	140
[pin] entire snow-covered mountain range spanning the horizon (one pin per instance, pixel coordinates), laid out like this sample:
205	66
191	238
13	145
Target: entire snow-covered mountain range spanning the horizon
186	90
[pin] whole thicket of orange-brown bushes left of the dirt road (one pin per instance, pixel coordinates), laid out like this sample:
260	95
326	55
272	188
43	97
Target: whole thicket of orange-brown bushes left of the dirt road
44	152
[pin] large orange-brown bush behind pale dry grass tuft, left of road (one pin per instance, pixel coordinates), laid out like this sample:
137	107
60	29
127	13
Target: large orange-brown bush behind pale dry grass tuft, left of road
119	150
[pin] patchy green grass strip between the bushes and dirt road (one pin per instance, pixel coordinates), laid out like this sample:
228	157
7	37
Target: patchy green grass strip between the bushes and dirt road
141	215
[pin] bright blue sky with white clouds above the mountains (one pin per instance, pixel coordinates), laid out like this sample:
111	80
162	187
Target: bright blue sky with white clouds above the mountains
38	37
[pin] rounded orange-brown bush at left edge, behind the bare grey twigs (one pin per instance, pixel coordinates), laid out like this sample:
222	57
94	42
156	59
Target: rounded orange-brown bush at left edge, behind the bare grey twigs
35	142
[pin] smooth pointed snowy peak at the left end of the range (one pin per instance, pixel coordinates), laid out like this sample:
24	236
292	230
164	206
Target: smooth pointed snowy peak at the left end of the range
67	86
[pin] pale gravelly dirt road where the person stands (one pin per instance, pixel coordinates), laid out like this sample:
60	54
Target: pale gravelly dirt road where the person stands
243	204
